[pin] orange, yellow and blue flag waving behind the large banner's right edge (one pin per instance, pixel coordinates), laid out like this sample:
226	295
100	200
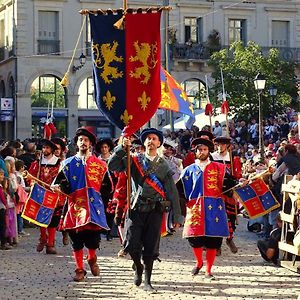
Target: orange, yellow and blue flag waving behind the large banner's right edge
174	98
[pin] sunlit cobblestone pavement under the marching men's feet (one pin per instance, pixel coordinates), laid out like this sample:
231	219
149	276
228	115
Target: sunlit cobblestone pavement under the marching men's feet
26	274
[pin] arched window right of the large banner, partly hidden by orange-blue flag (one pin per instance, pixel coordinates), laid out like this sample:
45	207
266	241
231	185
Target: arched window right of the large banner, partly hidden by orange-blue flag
194	89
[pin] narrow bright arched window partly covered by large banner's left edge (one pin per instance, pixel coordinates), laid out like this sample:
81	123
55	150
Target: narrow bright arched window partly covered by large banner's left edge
86	94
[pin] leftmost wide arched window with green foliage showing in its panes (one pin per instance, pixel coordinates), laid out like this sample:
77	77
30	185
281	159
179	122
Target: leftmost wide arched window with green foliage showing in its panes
46	90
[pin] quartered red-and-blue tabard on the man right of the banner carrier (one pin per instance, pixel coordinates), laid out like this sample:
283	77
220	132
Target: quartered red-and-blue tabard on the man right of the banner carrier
206	214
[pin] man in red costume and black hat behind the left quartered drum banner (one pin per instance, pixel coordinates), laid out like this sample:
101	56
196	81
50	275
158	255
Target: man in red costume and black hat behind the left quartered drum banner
46	169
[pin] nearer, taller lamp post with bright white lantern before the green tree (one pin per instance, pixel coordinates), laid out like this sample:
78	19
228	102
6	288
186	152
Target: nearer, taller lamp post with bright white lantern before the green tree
259	83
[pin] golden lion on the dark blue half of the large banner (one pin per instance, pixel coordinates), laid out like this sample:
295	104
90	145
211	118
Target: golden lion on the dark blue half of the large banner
106	54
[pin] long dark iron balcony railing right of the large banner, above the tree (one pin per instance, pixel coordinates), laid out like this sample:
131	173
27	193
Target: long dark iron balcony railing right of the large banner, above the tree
201	52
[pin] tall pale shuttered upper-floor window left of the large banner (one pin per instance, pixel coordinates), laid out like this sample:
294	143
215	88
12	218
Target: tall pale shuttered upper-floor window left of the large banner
48	39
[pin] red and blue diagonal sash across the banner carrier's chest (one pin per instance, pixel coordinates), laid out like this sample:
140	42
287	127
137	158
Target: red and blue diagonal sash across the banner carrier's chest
150	178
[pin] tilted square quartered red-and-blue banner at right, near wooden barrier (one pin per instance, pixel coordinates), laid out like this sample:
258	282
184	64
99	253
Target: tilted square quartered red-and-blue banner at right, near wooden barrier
256	198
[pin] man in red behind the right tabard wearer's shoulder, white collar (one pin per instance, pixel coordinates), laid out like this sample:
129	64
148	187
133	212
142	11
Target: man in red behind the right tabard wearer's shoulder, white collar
222	155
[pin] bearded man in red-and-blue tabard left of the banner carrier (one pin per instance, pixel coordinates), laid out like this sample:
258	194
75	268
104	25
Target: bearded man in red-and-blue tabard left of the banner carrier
81	177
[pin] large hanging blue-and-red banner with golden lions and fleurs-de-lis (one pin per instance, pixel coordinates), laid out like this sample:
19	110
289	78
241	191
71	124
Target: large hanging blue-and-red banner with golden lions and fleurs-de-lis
126	68
